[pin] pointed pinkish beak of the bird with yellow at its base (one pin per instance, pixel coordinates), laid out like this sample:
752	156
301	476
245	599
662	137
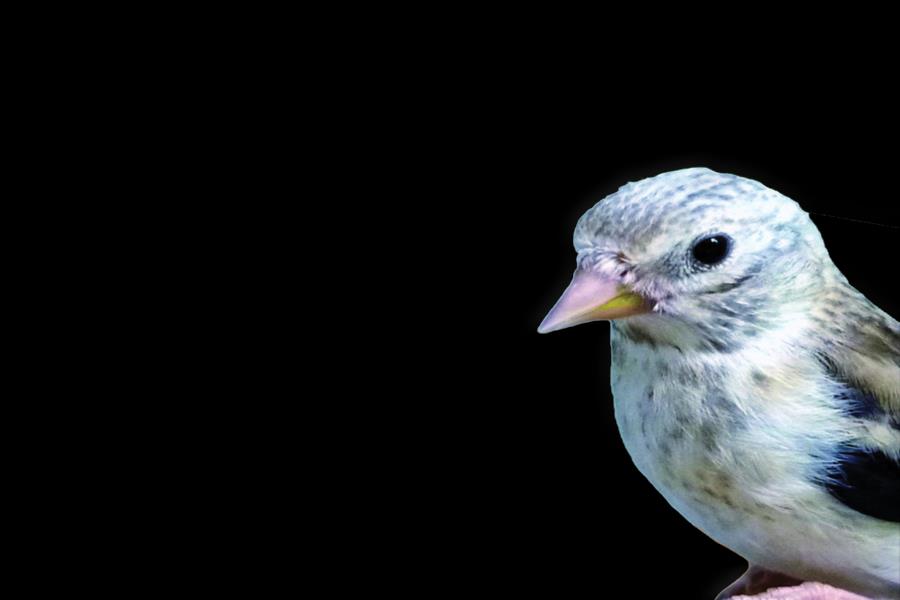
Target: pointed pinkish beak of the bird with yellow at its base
592	297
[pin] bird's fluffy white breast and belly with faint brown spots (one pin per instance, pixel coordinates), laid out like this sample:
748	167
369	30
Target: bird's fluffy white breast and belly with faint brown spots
726	442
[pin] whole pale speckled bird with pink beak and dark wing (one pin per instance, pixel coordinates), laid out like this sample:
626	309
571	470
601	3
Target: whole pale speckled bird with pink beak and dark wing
753	386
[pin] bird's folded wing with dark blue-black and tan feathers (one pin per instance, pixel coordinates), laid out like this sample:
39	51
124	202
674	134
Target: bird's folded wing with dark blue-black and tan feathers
863	362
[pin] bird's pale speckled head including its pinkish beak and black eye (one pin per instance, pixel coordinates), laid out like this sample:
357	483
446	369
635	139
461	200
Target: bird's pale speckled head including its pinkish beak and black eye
693	258
